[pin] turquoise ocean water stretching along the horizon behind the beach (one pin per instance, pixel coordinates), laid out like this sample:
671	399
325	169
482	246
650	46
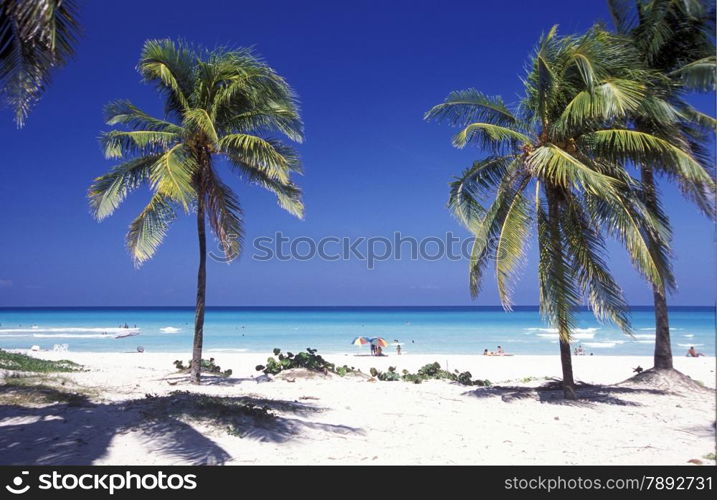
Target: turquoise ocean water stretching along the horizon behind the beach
429	330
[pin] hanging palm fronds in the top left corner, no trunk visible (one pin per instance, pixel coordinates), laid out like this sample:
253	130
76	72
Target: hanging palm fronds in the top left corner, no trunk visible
36	36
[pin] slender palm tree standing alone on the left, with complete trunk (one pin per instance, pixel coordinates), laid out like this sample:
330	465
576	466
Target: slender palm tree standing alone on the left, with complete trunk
220	107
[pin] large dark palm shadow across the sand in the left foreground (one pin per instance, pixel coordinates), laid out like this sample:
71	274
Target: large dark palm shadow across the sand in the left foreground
73	430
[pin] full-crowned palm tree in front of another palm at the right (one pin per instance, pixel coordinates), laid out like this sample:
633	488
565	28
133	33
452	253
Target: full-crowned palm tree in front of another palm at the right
556	164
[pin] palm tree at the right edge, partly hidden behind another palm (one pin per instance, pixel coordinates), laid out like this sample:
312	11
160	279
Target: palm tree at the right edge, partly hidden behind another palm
676	39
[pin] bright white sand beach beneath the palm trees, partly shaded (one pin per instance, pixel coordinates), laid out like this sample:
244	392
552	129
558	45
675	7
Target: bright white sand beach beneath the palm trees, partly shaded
353	421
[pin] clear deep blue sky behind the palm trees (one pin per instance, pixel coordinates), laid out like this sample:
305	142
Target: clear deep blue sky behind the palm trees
365	73
